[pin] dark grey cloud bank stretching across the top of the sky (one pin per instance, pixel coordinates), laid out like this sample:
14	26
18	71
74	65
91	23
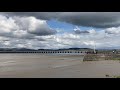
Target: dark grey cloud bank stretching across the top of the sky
94	19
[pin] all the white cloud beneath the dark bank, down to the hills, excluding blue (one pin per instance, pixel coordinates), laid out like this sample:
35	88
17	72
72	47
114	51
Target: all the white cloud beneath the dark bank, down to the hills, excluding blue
30	32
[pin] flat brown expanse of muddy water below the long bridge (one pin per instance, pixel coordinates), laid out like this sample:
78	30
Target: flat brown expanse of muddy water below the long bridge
55	66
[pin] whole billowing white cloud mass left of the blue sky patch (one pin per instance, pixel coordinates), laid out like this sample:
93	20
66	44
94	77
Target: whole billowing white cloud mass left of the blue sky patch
23	26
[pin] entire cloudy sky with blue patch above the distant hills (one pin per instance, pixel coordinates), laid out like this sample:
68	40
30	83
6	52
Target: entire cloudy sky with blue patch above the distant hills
55	30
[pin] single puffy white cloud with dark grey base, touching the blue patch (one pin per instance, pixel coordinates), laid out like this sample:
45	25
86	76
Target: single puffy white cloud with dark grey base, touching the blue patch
34	26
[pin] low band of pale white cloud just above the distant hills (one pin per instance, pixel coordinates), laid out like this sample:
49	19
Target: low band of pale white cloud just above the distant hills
65	40
